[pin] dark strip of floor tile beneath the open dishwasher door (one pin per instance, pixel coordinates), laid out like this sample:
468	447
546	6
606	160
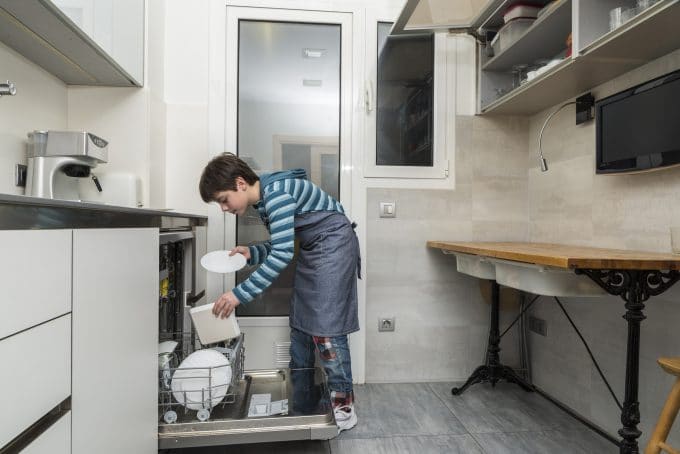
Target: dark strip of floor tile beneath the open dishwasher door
283	447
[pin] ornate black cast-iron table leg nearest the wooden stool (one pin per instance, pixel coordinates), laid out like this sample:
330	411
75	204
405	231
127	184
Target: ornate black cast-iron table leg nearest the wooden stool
634	287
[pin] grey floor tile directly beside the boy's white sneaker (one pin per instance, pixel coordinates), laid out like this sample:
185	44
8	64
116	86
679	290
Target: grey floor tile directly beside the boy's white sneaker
401	409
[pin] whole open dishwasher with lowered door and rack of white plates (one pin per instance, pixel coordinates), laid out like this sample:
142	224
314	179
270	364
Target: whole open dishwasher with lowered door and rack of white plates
247	406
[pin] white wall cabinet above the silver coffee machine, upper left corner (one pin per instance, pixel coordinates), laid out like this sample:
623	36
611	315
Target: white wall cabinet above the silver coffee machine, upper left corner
82	42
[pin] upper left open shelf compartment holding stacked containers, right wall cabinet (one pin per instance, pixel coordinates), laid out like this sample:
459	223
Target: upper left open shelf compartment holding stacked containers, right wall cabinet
545	38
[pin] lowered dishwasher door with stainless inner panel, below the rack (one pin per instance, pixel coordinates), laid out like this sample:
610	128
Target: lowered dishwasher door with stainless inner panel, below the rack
309	415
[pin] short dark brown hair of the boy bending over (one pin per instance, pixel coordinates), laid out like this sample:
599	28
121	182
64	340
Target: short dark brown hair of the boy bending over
220	175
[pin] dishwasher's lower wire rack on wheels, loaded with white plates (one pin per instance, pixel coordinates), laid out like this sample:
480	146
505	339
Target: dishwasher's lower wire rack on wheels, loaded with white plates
195	392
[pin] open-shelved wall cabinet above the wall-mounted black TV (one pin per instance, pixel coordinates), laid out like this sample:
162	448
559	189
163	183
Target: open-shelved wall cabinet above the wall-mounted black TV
598	51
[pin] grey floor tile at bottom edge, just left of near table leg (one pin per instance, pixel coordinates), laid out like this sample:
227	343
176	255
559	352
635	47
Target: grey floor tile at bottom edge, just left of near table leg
562	441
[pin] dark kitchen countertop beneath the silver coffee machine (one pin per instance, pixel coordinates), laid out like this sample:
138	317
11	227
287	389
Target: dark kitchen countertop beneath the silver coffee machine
22	212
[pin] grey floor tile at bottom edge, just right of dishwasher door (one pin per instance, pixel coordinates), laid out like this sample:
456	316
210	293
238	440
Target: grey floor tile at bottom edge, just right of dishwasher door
442	444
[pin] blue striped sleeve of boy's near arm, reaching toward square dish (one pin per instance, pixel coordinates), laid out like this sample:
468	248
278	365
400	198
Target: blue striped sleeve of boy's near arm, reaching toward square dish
280	208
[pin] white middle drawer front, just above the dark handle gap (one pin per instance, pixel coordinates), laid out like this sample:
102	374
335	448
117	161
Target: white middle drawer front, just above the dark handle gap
35	375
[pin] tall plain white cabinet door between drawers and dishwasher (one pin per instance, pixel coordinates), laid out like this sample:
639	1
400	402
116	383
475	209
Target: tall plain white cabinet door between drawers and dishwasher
115	341
